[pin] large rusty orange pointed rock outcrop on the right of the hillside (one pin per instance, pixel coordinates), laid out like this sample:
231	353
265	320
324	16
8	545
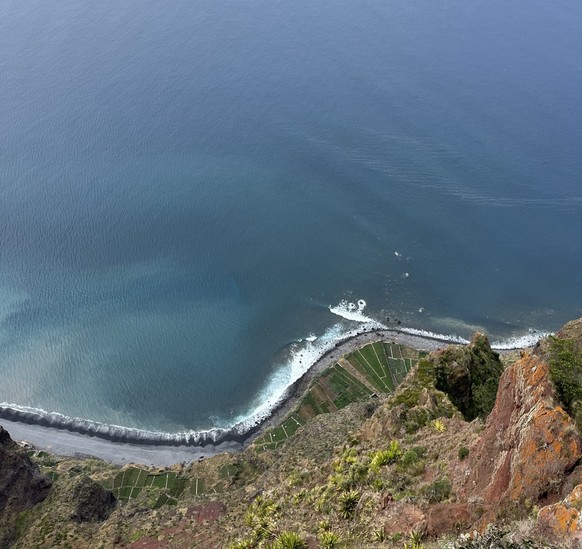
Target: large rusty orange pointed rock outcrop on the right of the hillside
529	444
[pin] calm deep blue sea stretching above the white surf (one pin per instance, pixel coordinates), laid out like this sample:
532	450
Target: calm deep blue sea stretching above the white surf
185	187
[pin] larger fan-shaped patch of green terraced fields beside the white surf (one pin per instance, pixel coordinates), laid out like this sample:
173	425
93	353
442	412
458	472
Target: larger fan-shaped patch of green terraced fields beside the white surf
376	368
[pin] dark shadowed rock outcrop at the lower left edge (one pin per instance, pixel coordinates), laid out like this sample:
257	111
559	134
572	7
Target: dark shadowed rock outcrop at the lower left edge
21	485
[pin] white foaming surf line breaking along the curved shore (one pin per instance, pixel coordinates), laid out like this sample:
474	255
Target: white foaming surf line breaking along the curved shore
301	356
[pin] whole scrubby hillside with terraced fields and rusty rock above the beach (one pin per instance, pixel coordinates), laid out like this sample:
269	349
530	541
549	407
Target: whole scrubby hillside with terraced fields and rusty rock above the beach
468	451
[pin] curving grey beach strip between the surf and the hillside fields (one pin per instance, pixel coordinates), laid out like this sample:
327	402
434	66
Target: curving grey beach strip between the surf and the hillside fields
83	442
